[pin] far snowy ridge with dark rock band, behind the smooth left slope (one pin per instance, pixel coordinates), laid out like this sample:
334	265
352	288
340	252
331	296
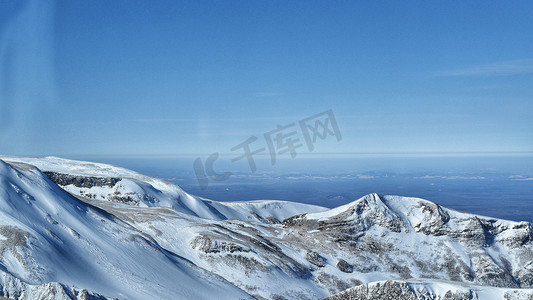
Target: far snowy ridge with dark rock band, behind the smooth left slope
85	179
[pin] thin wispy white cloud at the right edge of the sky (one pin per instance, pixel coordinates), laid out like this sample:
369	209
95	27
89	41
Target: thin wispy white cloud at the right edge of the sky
505	68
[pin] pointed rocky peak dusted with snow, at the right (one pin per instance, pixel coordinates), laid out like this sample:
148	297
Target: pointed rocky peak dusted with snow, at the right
416	238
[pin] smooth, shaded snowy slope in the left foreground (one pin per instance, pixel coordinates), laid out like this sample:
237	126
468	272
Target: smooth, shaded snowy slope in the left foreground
47	235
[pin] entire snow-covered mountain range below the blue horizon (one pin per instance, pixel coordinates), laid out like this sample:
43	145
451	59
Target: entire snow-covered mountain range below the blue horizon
76	230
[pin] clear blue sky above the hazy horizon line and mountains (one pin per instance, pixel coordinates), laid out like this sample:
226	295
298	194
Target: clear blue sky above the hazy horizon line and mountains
197	77
